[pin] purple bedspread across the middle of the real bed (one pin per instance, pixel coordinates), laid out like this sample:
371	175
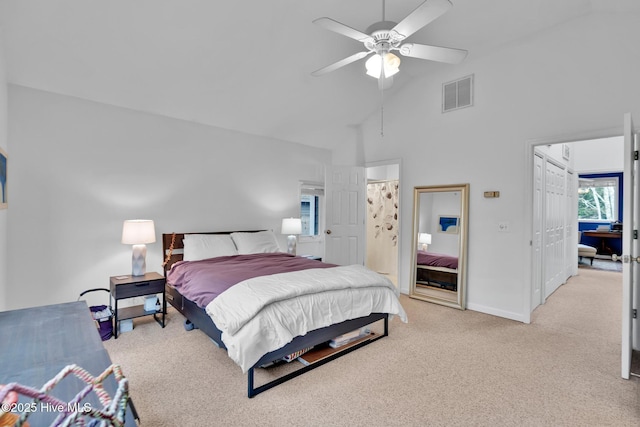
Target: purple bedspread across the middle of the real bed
202	281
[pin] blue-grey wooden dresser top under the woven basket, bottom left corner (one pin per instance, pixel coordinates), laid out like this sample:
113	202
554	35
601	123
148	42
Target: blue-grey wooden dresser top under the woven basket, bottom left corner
37	343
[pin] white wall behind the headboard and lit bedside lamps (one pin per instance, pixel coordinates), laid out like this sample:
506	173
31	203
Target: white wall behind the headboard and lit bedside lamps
80	168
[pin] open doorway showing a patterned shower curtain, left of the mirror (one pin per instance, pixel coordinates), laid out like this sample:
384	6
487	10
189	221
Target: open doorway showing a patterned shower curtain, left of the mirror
382	218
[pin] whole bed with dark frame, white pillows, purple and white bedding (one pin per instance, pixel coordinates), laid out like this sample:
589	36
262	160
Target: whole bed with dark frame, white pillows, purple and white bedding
247	316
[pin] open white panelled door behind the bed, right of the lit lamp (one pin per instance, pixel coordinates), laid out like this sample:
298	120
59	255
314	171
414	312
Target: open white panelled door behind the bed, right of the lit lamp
345	191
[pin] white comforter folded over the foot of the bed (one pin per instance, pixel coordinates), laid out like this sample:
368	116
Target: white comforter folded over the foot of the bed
263	314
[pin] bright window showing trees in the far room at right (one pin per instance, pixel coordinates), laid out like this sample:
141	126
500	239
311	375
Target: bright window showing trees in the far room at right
598	199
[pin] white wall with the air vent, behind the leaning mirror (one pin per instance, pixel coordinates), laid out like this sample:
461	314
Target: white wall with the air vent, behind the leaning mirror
574	78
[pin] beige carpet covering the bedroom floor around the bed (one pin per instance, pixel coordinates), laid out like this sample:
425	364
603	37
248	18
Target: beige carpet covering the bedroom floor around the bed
445	367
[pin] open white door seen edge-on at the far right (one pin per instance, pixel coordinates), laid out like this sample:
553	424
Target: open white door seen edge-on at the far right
629	247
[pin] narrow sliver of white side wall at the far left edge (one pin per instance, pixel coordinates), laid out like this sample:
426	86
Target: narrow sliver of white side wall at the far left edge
4	145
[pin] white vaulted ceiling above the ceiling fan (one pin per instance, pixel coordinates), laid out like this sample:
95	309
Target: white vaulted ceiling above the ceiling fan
245	65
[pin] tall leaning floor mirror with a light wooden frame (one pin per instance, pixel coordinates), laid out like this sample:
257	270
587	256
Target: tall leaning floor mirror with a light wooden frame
438	271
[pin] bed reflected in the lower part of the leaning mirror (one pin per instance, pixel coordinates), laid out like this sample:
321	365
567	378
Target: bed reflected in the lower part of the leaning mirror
437	270
